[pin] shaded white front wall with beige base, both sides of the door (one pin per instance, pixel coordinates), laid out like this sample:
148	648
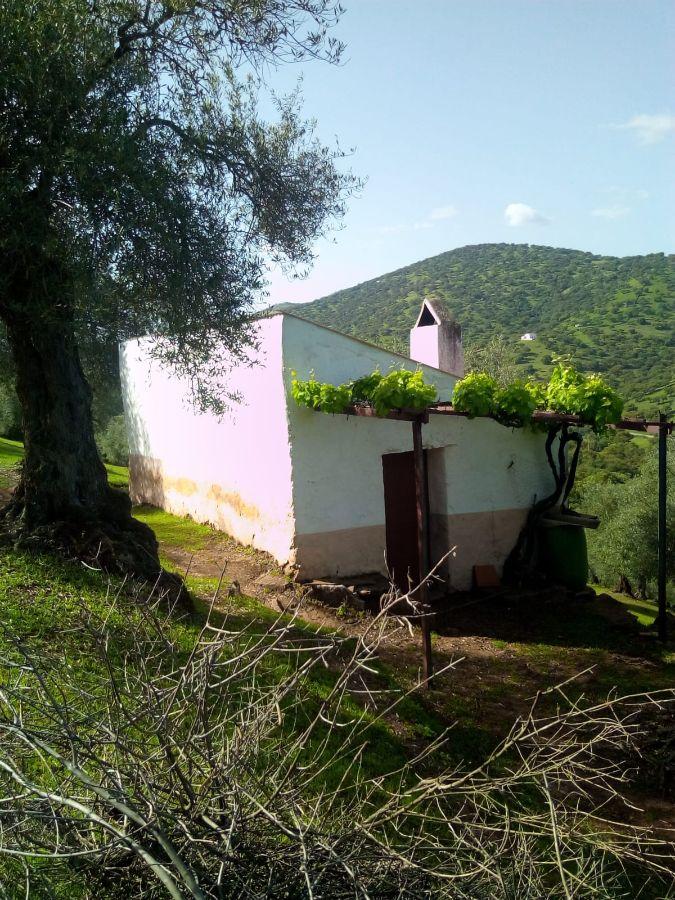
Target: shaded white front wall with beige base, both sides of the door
337	463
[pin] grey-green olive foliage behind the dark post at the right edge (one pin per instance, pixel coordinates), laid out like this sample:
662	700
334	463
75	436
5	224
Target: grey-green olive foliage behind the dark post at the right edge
625	546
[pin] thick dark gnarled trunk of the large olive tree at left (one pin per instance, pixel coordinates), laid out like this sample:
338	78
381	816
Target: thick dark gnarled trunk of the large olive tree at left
63	500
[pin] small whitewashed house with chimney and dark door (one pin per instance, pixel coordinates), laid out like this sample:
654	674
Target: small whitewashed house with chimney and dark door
331	495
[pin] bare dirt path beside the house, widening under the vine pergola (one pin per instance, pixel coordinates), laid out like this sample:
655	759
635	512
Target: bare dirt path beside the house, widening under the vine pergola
500	653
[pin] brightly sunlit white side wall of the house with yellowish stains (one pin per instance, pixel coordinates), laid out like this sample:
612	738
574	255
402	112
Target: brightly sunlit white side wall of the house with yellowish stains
234	473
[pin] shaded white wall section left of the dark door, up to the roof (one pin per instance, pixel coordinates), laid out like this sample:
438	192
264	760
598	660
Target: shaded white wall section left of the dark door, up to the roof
337	460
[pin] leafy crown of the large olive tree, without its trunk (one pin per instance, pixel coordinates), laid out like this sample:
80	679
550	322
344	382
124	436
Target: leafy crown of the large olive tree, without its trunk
138	157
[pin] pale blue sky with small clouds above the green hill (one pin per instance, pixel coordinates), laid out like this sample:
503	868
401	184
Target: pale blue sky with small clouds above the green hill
475	121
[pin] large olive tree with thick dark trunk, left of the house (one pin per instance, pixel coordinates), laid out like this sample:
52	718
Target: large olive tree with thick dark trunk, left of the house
141	192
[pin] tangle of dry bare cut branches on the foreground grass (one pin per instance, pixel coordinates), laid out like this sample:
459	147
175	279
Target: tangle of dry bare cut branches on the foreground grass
240	767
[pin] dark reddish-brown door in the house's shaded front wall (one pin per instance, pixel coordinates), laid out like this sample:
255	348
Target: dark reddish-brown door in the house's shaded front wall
400	510
